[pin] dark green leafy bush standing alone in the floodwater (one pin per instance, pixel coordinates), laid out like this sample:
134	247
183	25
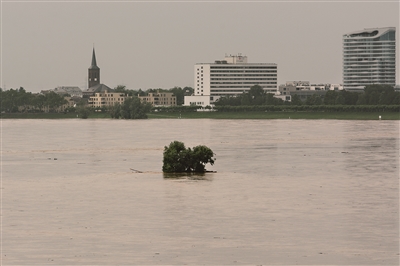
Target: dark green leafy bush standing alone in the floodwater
179	159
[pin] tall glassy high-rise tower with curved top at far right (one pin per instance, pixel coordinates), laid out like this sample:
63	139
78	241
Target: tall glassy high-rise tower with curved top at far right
369	57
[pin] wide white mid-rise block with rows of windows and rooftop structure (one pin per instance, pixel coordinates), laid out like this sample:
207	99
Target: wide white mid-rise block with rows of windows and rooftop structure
232	76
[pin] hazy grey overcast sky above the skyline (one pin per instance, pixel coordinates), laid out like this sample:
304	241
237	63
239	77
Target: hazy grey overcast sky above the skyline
155	44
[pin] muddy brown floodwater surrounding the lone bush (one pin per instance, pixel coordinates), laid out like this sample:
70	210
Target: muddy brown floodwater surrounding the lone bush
285	192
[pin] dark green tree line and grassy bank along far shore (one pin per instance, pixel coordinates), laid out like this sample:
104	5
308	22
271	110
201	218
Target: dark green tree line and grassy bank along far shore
377	101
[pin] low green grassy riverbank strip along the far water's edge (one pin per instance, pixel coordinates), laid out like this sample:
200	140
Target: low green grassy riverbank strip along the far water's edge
225	115
